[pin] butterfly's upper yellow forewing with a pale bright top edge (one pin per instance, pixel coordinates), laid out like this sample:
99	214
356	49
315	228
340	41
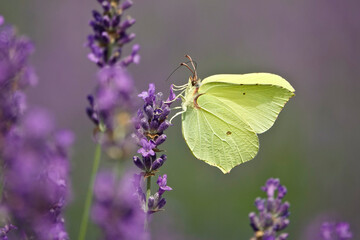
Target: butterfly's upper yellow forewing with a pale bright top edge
257	98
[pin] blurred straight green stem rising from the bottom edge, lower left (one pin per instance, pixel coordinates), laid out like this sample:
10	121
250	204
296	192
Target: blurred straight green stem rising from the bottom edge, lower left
89	195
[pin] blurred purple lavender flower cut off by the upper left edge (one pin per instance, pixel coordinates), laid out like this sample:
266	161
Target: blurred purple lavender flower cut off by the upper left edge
15	76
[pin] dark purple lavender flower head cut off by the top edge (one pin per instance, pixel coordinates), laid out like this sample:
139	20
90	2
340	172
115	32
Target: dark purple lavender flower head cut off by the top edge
110	35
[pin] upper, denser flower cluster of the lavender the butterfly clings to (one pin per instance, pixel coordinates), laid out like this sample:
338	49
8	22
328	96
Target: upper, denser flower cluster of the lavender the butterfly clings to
150	123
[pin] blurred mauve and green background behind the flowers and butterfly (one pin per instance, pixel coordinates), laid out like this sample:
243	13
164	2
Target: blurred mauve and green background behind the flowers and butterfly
312	148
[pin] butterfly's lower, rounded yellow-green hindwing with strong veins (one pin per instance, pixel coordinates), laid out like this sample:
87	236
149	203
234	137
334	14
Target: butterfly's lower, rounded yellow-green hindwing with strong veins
217	135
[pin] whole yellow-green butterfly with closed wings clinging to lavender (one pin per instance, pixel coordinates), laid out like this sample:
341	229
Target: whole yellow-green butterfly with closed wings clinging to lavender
222	114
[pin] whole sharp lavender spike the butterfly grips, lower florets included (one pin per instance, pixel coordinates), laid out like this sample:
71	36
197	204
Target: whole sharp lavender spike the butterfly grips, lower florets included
150	124
